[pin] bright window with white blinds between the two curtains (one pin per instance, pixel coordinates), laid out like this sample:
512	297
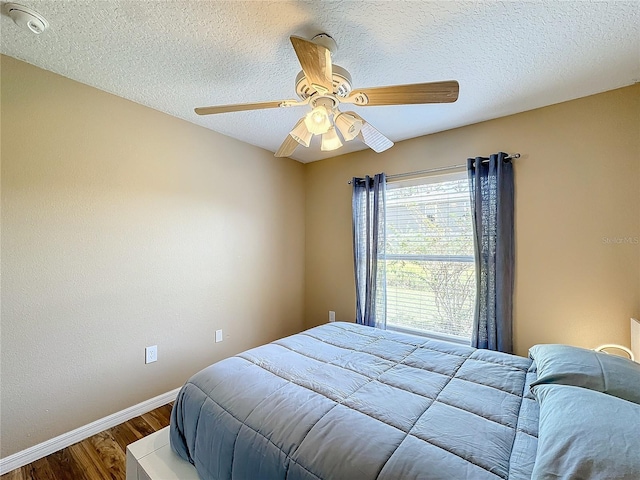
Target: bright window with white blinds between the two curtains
430	269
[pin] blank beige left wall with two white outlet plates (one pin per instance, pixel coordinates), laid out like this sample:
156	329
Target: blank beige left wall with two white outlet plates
123	227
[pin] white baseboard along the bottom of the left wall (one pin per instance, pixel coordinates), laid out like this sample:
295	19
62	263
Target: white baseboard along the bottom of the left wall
48	447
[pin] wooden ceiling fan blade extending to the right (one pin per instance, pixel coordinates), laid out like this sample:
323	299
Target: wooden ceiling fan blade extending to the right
434	92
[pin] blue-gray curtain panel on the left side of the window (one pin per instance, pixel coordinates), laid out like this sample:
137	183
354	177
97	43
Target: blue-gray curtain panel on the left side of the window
368	206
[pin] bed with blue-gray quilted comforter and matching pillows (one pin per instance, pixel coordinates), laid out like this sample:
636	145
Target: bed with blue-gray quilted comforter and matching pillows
344	401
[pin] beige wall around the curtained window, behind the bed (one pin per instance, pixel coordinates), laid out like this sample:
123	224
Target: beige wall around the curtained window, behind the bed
577	184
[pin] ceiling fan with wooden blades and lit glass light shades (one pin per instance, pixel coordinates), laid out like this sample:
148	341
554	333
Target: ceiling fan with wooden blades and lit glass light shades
324	87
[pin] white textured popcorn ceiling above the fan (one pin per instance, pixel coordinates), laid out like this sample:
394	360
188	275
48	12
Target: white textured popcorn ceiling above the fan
173	56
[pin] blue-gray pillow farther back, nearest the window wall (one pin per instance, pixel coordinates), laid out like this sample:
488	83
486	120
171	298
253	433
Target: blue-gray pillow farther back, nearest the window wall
566	365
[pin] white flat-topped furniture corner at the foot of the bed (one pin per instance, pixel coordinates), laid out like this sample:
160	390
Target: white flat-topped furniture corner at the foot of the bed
151	458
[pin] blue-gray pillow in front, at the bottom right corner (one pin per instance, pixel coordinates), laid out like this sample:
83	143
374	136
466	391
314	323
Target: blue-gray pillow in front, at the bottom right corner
586	435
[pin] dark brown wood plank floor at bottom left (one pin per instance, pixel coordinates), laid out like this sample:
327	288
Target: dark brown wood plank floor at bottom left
96	458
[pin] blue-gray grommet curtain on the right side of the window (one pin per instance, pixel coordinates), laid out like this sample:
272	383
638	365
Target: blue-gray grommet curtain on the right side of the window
492	204
